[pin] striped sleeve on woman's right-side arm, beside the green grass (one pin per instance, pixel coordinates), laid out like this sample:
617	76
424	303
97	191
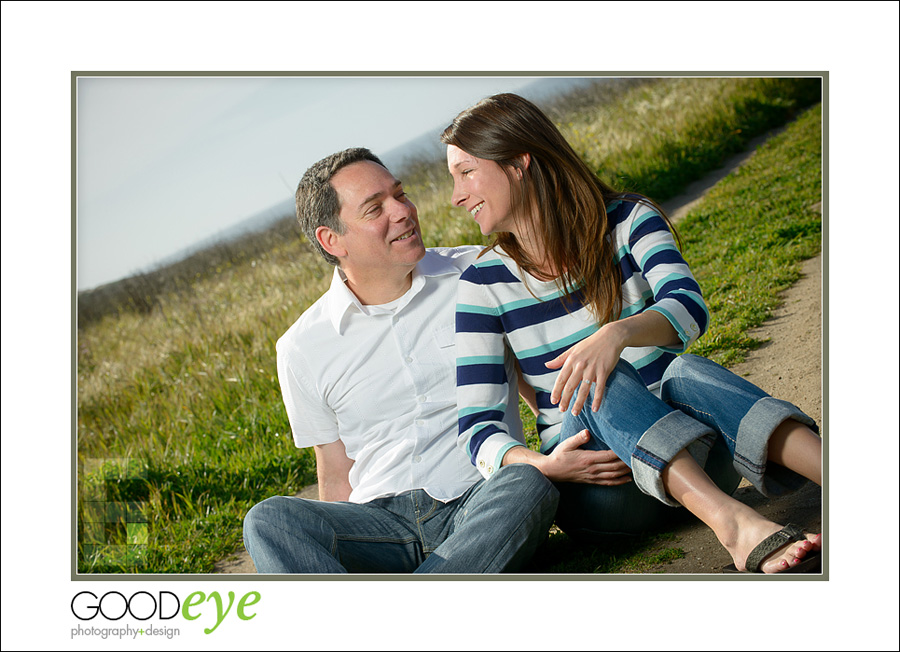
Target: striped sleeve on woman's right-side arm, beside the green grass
648	253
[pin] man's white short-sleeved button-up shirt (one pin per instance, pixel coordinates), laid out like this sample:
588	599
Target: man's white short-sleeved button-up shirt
384	383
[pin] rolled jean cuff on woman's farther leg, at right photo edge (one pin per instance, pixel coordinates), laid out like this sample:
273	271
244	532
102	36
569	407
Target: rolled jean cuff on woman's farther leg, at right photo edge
751	450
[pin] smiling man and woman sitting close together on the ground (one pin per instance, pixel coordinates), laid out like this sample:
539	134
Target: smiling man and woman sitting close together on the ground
581	306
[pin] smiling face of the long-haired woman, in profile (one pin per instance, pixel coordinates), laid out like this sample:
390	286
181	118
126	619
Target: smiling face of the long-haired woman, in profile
482	188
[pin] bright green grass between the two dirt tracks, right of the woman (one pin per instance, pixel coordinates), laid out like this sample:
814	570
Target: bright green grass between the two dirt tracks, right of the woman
765	219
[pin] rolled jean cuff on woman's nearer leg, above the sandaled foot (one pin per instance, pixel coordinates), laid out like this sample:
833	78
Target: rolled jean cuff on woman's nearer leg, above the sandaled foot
660	443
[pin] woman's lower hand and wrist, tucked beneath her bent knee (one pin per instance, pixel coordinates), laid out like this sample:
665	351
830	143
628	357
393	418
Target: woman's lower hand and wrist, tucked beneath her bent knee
571	463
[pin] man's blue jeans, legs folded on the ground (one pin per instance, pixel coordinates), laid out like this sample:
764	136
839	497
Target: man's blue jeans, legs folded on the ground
495	526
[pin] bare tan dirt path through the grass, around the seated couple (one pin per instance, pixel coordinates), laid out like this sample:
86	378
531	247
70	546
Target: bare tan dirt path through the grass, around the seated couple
788	366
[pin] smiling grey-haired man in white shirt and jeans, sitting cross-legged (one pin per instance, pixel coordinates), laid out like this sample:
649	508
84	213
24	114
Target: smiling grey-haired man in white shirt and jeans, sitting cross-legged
368	379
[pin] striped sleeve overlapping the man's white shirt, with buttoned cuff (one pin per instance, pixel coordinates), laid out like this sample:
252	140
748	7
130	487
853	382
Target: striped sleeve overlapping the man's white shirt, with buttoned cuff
483	367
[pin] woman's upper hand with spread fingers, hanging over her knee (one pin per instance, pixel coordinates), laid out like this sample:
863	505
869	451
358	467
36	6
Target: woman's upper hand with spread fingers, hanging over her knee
589	361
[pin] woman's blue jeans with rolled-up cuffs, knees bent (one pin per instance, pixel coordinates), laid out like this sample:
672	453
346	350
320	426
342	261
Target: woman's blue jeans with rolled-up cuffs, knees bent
722	420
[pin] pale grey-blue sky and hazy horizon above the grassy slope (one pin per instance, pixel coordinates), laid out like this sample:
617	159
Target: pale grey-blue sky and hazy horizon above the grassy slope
165	162
